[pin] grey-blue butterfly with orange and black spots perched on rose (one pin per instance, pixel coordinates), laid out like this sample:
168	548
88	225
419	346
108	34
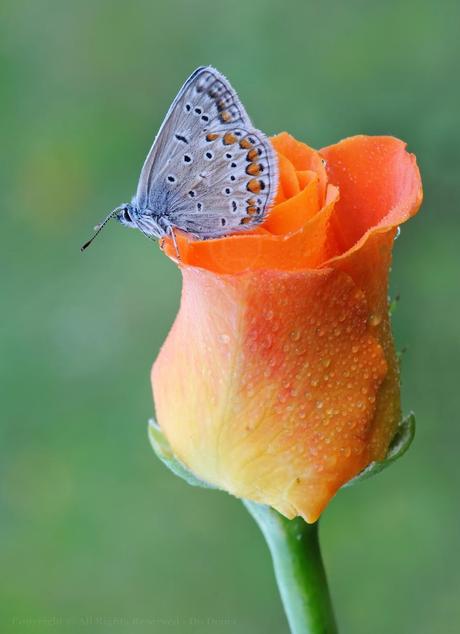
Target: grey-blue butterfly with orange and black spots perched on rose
209	172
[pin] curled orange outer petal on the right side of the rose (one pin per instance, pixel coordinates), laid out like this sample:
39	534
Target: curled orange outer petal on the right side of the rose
380	188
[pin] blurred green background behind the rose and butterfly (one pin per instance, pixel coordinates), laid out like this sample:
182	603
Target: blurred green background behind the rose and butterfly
95	534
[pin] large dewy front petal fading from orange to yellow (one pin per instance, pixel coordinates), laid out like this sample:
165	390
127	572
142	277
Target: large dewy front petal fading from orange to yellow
266	384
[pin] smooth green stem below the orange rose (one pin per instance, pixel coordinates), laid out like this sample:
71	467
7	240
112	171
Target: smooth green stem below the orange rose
299	570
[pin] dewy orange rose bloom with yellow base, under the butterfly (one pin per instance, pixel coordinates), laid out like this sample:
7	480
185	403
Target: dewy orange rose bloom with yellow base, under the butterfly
278	381
